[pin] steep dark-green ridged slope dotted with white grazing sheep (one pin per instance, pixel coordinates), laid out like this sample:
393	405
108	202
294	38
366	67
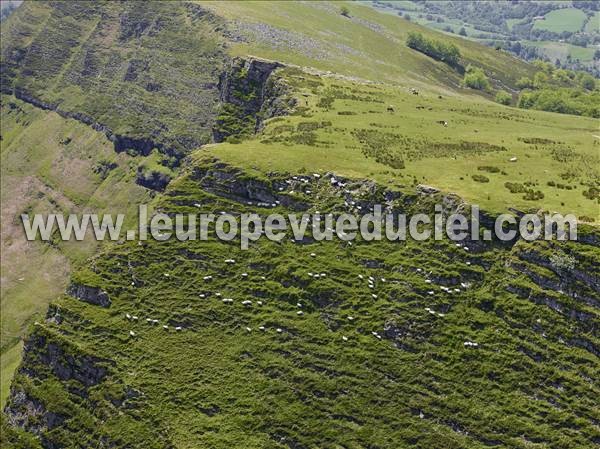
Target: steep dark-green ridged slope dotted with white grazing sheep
350	370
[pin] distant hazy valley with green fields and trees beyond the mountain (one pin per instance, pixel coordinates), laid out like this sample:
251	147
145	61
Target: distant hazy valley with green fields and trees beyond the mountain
565	33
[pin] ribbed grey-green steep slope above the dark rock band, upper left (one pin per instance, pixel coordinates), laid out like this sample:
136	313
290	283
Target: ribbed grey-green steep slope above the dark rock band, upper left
147	71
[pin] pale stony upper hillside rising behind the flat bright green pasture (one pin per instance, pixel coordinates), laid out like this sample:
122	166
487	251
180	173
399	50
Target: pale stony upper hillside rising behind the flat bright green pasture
367	45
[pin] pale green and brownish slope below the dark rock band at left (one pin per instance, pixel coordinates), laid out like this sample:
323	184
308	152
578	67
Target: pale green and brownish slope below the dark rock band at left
50	164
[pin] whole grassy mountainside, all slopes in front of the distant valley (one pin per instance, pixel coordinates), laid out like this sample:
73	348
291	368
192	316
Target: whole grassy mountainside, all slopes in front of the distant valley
369	345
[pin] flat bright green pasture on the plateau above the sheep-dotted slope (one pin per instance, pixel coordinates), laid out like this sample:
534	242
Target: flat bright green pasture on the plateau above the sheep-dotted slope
416	117
